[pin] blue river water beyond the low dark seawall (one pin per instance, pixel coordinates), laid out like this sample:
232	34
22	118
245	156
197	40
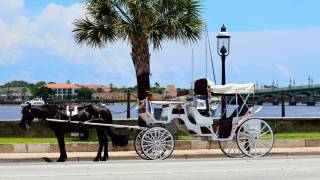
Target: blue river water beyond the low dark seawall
13	112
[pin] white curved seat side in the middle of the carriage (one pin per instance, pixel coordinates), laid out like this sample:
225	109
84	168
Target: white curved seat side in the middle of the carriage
195	117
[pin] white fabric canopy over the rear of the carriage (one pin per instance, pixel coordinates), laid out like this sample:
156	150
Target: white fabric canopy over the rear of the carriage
233	89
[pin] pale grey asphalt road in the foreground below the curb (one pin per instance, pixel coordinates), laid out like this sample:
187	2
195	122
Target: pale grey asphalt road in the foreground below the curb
293	168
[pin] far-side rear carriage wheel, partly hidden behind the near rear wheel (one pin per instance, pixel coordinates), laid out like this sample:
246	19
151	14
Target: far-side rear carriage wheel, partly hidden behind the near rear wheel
230	148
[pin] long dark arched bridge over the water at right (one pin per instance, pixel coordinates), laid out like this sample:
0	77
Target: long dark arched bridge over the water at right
308	95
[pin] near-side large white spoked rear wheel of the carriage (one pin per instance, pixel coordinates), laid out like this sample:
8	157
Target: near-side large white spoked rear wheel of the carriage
255	138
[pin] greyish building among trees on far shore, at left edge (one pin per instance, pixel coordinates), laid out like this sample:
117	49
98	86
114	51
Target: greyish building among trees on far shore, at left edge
15	93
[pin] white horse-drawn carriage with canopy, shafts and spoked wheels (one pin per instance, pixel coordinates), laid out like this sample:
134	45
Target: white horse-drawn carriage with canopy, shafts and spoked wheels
238	134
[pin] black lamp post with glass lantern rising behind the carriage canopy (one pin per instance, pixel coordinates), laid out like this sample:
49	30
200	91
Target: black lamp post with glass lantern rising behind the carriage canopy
223	47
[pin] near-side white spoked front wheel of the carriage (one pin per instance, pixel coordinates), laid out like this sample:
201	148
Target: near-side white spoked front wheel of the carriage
157	143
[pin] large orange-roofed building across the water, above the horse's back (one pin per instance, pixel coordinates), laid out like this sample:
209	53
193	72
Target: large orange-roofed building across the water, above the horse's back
64	91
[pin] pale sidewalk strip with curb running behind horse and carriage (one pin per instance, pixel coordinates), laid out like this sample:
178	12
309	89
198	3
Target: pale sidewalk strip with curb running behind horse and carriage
131	155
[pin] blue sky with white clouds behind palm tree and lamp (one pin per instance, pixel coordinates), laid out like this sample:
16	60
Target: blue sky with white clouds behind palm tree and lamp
271	40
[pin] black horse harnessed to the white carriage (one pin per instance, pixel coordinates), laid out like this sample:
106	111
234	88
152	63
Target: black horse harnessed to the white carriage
88	112
